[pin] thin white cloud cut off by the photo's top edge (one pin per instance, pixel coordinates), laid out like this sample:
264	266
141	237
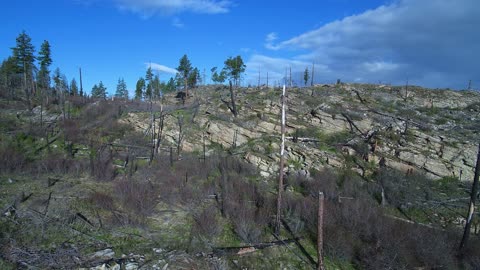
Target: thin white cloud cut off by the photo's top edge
149	8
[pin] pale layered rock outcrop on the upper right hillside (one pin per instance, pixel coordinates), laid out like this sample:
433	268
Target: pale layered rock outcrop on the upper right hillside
357	125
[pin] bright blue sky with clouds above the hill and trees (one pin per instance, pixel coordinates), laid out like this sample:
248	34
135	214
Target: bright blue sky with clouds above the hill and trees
433	43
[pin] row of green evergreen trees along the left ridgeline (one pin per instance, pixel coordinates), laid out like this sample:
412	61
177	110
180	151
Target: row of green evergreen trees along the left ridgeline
24	75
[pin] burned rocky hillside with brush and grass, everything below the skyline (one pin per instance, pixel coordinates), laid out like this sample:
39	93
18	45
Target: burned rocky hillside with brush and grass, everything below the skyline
171	185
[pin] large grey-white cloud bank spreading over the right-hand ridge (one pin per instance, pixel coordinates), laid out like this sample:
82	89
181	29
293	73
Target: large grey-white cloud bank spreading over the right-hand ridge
433	43
